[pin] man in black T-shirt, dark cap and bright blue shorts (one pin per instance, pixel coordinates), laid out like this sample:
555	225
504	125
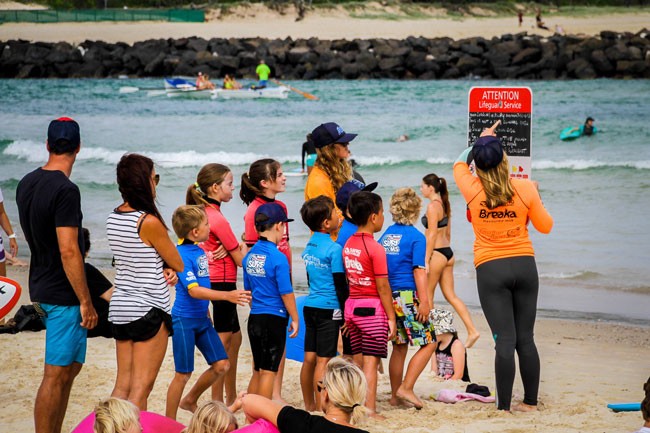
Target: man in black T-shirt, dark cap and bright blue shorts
49	207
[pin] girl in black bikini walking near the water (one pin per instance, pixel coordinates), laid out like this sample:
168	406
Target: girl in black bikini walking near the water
439	255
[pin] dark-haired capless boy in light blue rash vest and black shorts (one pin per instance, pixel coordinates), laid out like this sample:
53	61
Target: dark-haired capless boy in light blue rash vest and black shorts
328	291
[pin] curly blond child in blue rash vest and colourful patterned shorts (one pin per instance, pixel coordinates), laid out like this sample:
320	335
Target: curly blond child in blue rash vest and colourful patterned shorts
405	250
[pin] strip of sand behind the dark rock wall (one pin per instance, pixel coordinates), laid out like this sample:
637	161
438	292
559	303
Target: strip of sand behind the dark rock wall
376	21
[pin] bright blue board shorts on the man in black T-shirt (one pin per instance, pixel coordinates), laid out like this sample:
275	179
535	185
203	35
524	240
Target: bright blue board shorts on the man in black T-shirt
65	339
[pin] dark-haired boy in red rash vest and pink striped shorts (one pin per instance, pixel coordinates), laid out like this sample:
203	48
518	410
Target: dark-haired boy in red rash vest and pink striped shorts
369	314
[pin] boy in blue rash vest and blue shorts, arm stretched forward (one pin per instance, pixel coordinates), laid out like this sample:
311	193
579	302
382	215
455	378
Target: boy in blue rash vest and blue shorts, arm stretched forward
190	314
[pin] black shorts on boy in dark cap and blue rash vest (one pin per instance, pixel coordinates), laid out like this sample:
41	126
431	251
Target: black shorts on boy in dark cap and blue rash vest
267	335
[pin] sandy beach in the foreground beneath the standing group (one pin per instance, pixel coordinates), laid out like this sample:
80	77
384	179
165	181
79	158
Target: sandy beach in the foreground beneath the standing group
585	365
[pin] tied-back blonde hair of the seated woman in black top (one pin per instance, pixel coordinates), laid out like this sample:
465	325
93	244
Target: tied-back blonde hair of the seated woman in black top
346	387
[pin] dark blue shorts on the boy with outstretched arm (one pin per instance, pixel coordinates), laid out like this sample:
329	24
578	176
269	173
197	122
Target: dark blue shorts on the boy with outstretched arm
199	332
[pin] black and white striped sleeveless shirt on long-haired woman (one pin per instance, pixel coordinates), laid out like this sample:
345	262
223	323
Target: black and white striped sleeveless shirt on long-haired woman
139	281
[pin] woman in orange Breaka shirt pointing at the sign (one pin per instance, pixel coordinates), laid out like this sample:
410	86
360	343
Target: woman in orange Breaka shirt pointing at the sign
506	274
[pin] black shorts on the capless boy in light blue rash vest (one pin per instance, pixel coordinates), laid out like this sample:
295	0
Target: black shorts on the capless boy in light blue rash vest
321	331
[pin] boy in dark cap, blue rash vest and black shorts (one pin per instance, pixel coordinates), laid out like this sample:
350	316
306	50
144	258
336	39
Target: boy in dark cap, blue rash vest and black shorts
267	276
